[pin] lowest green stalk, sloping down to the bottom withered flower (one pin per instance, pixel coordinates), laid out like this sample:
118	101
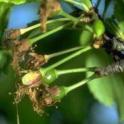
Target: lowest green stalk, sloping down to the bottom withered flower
79	84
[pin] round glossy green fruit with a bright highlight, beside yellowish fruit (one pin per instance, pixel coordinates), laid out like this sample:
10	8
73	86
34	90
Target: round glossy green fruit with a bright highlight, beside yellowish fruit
50	76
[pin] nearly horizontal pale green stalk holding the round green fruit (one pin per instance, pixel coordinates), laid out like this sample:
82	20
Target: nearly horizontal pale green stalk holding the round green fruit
77	70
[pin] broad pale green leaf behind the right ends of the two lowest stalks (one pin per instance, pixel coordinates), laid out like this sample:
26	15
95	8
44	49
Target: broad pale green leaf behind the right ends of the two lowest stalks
101	88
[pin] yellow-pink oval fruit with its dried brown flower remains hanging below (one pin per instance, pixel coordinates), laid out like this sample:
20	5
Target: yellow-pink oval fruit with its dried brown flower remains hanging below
32	87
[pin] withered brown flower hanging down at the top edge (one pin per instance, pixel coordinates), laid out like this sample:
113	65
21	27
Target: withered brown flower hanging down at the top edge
48	9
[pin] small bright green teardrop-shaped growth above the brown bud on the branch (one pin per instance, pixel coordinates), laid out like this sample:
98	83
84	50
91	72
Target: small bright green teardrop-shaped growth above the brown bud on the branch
98	28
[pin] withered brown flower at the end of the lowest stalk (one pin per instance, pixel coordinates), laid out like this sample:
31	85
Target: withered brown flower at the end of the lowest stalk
43	97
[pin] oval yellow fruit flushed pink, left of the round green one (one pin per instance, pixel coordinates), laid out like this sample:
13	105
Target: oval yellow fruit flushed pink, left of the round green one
32	79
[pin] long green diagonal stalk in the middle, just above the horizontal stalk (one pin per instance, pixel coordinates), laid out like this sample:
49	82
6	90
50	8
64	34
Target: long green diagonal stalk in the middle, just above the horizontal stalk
73	55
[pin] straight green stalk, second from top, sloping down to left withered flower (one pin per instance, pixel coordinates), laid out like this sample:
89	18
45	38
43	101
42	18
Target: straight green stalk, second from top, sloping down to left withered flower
34	40
